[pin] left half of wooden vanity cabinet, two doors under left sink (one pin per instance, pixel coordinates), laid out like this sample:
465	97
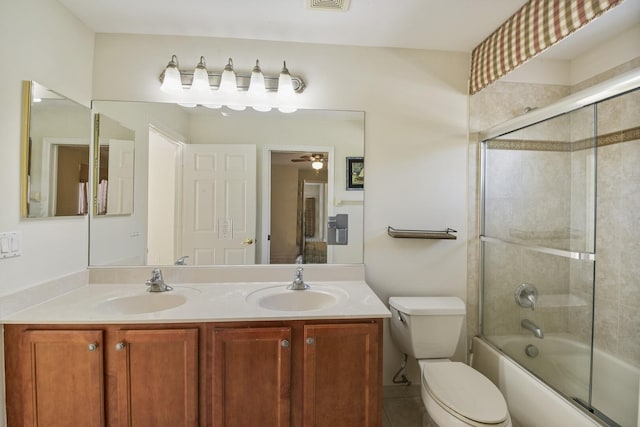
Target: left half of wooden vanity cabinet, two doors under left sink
108	376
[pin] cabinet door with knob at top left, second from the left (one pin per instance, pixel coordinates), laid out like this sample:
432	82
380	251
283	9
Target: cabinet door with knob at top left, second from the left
157	377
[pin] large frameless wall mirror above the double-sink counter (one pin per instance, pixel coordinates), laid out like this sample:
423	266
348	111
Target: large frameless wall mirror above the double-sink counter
223	187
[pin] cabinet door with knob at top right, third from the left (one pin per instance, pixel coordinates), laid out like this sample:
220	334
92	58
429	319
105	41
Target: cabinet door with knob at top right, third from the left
251	377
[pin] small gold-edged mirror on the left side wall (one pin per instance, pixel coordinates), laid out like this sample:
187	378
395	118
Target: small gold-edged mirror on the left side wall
55	147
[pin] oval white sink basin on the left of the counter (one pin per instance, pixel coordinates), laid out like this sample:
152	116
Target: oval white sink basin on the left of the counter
147	302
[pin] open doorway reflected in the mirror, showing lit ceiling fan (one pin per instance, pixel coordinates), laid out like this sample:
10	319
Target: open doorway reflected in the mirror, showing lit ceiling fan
298	207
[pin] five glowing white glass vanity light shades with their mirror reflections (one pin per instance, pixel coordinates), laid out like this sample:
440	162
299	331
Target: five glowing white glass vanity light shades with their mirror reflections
236	91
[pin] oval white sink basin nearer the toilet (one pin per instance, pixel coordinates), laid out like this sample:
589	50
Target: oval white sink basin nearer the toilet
280	298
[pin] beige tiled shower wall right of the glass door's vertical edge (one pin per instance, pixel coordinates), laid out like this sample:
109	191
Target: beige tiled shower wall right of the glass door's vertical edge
617	291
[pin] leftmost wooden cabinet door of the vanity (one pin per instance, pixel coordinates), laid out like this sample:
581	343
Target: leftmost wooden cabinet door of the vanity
64	385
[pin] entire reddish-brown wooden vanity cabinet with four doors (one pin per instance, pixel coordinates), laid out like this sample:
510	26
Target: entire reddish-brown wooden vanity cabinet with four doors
299	373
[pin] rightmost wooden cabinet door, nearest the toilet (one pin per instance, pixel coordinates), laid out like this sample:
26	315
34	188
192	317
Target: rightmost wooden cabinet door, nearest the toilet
342	376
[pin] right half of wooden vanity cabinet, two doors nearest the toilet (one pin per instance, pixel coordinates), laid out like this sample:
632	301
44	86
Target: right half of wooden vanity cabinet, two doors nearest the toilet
302	374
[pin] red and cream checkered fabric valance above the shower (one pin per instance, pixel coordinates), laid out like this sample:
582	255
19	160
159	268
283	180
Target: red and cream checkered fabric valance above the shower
538	25
